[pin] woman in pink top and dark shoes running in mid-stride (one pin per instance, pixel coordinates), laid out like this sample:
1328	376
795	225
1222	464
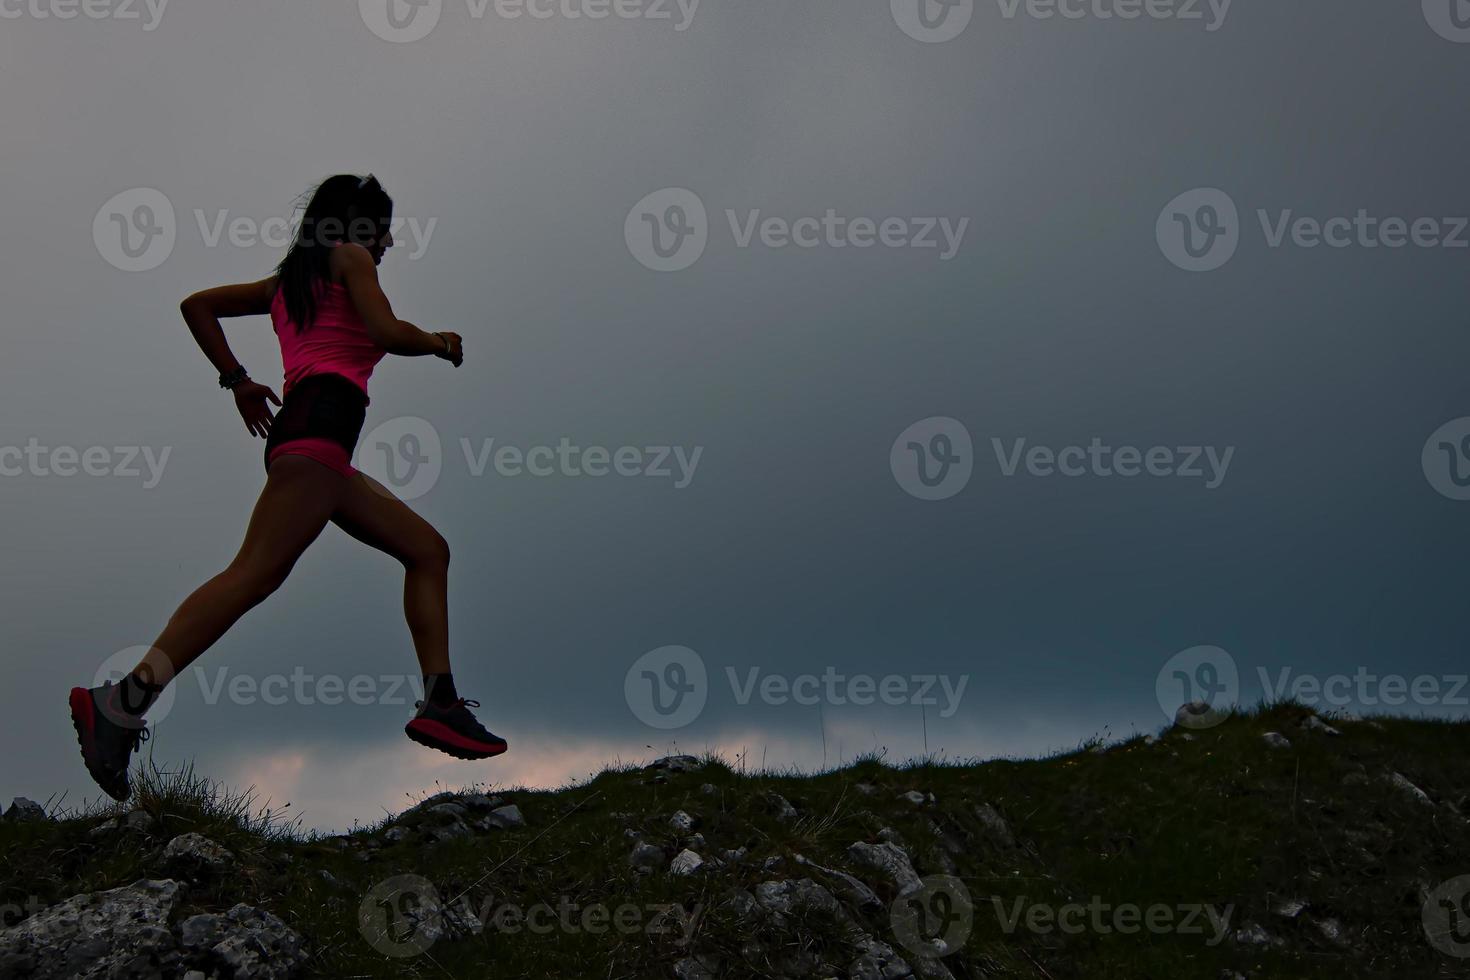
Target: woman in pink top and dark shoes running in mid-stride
334	325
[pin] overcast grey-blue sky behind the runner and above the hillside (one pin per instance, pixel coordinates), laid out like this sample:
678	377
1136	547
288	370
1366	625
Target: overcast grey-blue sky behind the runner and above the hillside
1039	252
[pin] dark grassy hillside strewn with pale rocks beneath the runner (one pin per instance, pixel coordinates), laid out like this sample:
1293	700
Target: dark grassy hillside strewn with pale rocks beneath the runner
1274	844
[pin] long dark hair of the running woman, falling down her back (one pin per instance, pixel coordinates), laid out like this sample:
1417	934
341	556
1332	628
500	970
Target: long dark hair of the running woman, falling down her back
343	208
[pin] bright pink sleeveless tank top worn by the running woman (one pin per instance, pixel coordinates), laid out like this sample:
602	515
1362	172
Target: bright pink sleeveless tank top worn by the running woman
336	343
